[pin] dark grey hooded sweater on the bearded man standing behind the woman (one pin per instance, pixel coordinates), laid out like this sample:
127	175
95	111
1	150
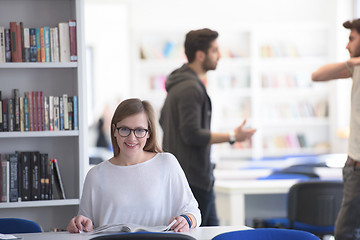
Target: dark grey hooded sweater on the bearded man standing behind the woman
185	120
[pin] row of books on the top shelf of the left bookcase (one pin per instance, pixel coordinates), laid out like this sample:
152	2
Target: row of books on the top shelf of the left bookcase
41	44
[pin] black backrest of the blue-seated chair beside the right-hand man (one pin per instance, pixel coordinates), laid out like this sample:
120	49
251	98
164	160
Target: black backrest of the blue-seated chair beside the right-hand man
315	203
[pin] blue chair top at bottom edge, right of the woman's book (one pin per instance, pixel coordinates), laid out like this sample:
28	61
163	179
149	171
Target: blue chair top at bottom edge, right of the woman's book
267	234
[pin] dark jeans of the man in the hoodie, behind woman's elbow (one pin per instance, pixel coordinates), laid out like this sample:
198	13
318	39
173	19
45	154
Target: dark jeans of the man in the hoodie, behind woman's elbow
207	206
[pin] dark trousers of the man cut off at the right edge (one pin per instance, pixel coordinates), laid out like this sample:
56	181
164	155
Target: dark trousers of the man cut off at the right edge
347	224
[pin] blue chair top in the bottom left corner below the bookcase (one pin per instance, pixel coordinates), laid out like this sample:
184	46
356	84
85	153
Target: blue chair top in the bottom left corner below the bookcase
18	225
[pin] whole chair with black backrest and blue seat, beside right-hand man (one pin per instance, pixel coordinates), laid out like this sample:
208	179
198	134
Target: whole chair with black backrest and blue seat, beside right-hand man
312	206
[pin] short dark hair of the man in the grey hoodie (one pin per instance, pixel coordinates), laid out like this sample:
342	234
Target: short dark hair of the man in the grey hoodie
198	40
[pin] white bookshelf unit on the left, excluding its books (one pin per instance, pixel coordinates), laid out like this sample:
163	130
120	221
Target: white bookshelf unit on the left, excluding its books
53	79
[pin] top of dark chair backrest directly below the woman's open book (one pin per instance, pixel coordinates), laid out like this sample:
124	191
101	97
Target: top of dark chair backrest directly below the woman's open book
144	236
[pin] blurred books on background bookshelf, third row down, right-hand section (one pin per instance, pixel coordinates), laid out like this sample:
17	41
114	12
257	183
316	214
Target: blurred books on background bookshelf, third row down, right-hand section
296	110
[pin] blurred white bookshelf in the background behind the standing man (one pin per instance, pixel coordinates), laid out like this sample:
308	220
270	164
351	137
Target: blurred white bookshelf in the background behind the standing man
263	76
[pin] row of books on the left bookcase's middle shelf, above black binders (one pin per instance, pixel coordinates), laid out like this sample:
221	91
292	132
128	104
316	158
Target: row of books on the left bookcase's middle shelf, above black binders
36	112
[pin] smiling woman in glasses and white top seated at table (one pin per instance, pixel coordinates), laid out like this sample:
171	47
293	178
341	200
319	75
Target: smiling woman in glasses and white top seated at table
140	184
